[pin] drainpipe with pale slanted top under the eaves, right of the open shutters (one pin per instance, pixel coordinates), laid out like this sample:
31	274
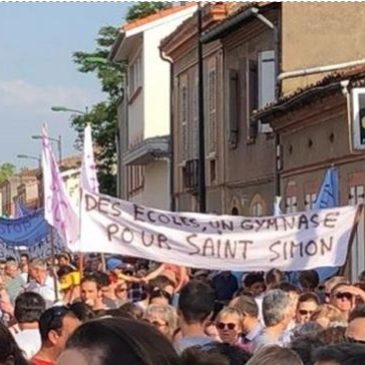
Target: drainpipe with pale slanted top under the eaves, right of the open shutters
275	30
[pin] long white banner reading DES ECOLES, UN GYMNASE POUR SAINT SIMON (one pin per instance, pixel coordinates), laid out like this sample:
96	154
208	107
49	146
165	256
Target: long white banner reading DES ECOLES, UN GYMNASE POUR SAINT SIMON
298	241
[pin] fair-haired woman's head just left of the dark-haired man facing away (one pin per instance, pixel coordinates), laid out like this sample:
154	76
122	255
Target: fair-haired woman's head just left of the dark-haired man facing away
163	317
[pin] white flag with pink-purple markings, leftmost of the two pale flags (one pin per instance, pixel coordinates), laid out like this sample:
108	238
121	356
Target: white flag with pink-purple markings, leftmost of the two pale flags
59	211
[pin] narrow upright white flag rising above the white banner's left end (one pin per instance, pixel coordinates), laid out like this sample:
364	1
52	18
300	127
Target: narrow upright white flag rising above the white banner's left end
89	181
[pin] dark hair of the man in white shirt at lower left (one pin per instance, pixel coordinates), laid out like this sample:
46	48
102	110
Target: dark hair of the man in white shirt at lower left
29	307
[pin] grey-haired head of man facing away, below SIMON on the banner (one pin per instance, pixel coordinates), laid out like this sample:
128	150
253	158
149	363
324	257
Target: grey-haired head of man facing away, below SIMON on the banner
276	308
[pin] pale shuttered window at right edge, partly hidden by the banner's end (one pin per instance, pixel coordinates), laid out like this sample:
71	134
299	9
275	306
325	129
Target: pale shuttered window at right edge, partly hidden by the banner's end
358	248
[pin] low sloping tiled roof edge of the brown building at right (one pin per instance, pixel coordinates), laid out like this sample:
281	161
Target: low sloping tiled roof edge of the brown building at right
327	85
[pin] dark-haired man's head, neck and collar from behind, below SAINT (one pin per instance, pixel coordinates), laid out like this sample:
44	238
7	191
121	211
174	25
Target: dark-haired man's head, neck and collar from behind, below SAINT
196	305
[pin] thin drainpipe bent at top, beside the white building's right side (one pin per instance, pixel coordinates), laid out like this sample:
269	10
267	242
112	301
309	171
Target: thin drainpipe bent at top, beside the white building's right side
170	159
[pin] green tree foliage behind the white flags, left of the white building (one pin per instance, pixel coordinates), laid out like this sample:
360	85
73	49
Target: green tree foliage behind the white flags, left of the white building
102	116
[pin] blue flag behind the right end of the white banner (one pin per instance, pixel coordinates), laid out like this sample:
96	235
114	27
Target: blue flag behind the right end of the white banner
328	197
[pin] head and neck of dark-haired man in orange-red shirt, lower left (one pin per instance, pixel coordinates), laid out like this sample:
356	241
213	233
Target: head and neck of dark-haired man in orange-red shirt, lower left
56	325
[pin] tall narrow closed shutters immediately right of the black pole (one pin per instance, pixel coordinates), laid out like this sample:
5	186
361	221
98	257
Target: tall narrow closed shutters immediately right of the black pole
212	106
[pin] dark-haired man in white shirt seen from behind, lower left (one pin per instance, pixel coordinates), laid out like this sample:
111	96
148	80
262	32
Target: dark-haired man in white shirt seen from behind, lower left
28	310
